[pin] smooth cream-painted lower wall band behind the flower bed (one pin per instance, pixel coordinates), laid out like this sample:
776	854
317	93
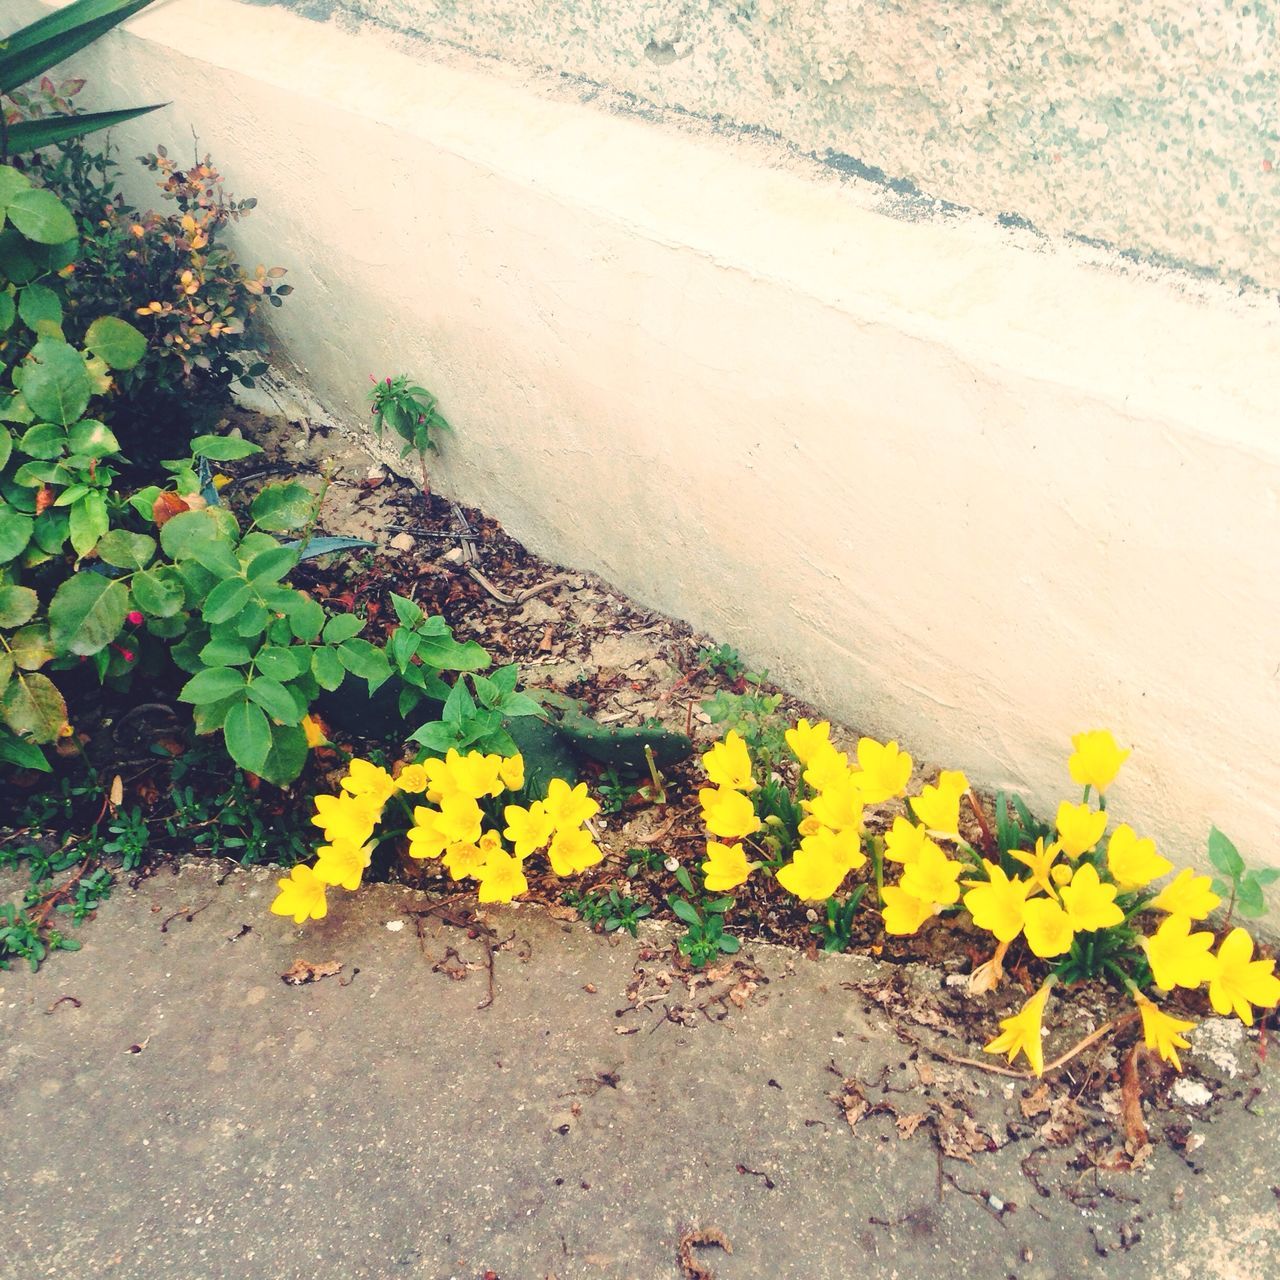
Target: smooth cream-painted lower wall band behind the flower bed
959	487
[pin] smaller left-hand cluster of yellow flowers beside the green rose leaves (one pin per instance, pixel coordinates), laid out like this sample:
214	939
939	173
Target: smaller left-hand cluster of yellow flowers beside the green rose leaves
451	826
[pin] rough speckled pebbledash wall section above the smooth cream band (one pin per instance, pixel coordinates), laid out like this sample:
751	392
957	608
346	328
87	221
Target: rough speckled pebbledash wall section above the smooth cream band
1150	126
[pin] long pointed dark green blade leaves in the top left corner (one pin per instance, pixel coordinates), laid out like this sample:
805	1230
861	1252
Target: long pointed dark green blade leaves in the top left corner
31	51
